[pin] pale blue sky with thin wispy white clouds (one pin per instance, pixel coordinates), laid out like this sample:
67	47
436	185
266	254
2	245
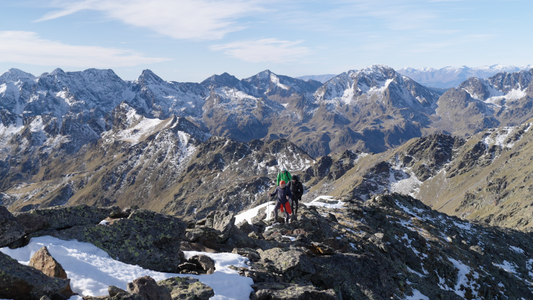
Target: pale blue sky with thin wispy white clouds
190	40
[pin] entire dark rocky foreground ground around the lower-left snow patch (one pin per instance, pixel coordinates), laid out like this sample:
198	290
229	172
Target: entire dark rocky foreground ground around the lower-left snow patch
389	247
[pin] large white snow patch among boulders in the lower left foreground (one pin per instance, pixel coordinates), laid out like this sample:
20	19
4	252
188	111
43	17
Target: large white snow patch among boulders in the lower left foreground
91	270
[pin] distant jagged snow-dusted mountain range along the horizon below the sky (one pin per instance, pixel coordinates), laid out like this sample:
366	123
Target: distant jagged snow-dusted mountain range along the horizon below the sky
368	103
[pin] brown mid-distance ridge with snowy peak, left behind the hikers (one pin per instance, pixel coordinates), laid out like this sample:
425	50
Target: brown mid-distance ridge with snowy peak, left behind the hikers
165	165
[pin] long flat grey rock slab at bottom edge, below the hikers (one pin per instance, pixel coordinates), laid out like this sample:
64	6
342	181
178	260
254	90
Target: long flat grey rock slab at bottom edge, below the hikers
288	291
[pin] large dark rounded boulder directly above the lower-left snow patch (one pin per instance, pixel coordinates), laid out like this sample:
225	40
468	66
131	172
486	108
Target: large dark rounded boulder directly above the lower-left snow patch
148	239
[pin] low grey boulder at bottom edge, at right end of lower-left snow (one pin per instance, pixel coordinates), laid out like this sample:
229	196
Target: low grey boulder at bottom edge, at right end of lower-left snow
187	288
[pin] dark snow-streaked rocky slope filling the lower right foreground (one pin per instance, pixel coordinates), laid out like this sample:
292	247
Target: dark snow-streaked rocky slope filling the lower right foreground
397	246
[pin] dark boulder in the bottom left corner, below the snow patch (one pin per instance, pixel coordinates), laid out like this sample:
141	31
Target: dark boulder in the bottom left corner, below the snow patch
18	281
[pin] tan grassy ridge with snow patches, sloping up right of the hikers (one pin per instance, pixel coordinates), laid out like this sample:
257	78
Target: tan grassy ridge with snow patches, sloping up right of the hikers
484	178
